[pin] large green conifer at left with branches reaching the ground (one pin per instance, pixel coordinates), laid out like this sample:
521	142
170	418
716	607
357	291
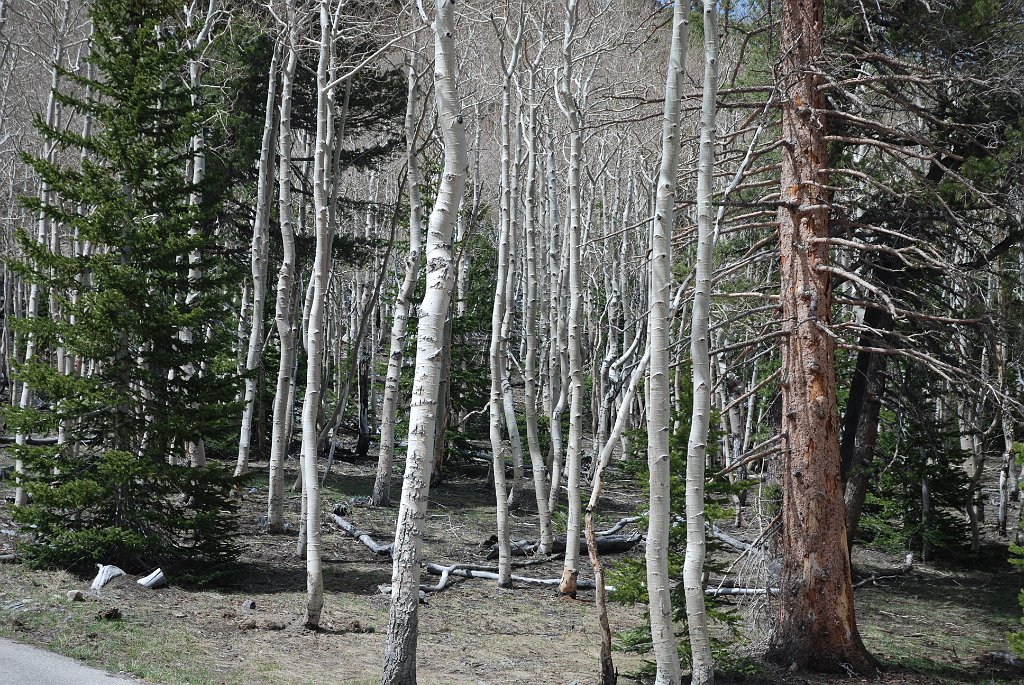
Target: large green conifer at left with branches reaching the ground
115	491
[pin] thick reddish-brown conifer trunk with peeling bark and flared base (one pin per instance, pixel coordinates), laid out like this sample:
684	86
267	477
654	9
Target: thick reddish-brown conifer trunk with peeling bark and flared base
818	628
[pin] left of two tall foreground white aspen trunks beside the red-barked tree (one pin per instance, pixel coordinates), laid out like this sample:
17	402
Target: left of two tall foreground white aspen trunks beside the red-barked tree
658	391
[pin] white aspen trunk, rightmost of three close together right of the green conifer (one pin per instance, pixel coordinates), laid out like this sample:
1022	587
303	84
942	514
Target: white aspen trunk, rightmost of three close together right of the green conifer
316	342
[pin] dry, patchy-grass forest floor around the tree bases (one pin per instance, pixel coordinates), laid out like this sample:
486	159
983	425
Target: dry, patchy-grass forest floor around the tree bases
938	624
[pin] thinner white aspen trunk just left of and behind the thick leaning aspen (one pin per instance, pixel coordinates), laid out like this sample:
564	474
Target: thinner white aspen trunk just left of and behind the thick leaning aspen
382	484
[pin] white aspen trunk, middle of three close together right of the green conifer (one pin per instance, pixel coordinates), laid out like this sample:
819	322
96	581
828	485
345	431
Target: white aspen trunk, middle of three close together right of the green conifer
284	307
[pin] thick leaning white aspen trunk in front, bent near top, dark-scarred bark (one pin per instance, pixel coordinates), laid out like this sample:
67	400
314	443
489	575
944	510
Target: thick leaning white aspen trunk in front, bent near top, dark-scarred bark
400	656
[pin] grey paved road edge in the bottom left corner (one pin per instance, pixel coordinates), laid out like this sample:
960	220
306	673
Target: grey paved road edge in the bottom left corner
22	665
